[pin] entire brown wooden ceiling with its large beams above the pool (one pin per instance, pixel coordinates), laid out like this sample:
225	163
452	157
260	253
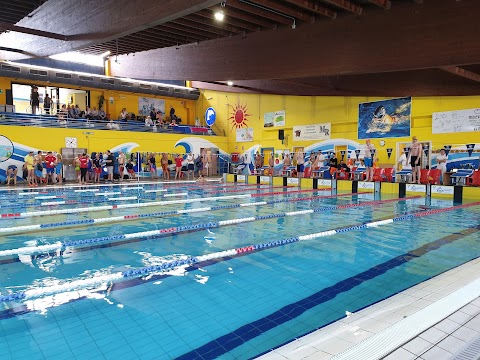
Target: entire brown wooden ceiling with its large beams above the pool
295	47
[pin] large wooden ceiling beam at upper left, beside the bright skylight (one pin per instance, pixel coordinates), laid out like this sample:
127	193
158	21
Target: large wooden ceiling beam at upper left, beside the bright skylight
97	22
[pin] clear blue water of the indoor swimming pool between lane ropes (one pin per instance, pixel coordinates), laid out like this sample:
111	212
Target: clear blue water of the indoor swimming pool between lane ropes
231	307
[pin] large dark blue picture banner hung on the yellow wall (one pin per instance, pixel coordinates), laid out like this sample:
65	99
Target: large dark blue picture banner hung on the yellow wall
385	118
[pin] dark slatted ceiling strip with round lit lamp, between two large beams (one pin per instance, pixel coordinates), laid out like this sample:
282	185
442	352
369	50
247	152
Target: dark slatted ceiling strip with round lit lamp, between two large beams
241	17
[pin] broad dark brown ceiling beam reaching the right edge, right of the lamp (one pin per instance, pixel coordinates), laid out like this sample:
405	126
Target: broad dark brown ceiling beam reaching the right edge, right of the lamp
327	48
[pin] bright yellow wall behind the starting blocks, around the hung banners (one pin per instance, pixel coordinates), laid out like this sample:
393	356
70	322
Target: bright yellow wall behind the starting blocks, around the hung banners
341	112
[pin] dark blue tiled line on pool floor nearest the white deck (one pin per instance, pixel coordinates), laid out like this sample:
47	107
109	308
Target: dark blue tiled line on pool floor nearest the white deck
230	341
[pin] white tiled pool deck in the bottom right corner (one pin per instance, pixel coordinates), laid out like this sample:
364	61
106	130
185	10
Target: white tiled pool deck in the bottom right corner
440	342
